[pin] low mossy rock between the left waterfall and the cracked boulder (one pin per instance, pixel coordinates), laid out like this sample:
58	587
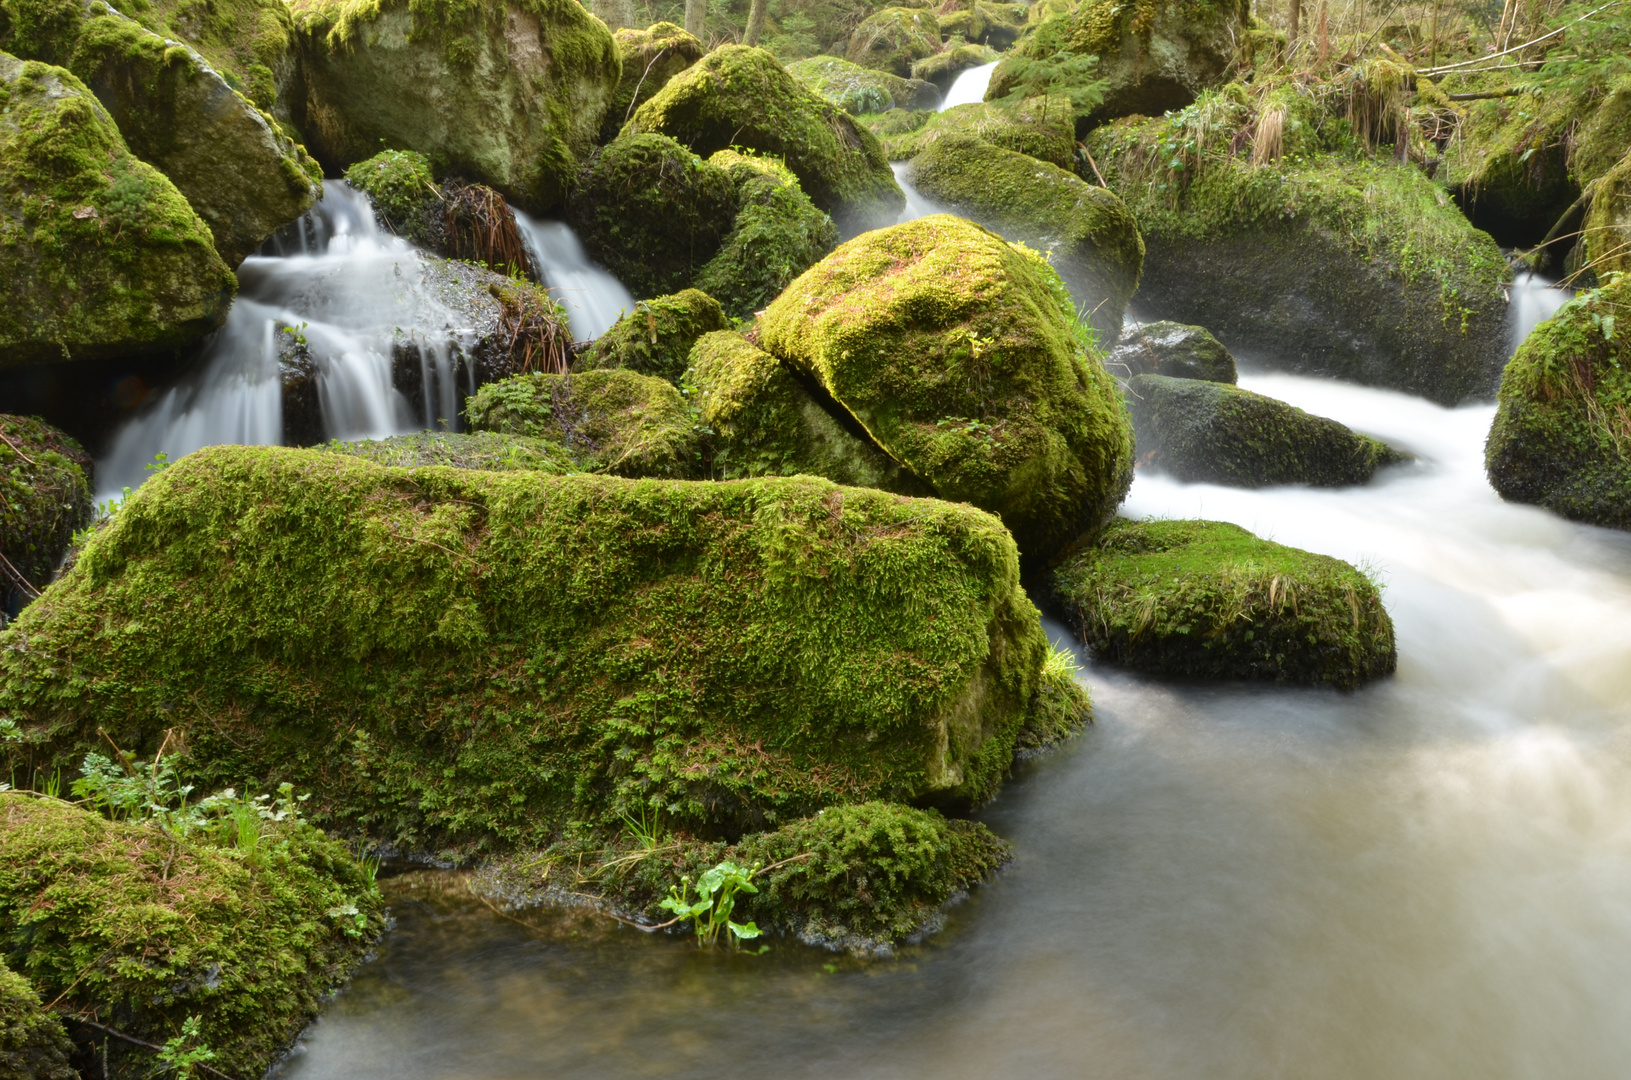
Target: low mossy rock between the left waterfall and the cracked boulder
609	422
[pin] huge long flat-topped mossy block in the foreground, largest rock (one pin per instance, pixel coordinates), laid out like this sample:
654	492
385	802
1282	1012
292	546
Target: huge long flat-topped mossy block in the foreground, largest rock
464	658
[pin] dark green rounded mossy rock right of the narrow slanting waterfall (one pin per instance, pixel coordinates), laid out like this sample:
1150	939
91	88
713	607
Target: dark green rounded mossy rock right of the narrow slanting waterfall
652	213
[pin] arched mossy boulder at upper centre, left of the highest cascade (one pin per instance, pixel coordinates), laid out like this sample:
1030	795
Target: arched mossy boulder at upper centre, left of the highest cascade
740	97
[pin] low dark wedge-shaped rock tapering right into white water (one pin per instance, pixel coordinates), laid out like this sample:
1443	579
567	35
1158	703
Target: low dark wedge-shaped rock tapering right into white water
1216	433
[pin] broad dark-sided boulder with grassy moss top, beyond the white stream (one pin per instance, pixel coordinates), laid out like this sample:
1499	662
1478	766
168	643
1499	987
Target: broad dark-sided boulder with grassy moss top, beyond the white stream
1330	265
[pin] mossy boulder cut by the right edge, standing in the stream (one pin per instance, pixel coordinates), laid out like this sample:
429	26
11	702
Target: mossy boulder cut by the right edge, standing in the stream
1562	435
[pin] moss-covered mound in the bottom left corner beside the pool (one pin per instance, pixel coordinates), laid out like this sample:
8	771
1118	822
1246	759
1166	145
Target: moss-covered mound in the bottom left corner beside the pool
143	929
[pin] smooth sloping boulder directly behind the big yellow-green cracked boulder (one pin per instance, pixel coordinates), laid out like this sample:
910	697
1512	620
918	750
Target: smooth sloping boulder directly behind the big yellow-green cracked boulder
1089	234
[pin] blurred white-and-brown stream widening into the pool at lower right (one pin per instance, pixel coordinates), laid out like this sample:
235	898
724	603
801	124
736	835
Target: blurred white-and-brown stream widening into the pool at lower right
1421	880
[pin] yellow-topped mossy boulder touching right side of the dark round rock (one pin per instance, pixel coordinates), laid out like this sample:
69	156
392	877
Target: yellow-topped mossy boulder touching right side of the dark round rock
777	236
